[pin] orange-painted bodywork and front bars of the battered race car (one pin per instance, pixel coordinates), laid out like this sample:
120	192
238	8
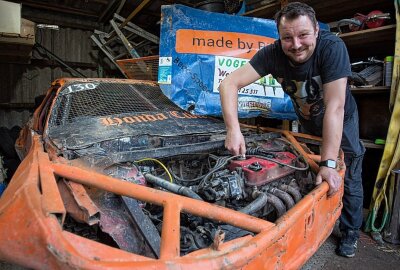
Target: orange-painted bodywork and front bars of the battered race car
32	216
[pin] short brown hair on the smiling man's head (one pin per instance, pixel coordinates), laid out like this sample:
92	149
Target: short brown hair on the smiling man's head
293	10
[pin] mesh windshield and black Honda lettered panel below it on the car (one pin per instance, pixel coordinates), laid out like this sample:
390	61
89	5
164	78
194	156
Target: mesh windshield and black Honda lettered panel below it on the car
87	114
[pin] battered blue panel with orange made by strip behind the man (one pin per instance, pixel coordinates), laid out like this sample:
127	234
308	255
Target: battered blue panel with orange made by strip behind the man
198	49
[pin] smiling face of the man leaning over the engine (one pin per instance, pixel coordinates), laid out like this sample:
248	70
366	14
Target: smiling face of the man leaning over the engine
298	38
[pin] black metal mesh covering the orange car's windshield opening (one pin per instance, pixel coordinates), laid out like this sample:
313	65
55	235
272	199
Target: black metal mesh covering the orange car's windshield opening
110	99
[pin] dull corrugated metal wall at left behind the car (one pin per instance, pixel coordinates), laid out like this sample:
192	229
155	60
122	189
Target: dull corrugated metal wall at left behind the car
22	83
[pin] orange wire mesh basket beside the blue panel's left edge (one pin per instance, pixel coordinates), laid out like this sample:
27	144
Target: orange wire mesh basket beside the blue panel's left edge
144	68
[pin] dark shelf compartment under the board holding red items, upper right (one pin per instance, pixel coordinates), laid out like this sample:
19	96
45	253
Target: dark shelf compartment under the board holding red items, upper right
365	42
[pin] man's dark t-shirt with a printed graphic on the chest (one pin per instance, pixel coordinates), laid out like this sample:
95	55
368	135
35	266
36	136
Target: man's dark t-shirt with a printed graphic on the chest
303	82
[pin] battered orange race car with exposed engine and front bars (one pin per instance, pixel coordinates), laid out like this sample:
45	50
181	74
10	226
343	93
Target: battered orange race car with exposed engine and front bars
115	176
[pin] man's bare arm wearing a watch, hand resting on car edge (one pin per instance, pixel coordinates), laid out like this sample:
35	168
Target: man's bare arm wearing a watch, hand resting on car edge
334	100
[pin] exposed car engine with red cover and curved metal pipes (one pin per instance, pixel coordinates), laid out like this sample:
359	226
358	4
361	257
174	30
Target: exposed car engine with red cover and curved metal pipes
265	183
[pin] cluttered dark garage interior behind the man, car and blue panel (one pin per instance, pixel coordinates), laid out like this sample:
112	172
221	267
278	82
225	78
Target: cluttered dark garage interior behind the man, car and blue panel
42	41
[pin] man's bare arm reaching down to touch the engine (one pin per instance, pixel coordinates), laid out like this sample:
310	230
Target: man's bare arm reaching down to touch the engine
228	89
